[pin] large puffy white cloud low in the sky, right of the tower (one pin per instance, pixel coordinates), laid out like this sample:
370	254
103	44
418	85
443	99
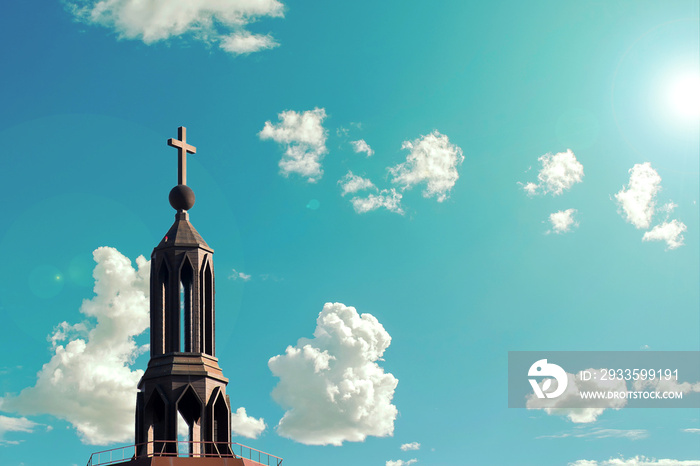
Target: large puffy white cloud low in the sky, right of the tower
331	385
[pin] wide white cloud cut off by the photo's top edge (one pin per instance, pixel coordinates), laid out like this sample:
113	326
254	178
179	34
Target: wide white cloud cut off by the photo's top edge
209	21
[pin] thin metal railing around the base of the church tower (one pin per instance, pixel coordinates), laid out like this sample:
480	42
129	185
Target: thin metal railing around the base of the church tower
183	449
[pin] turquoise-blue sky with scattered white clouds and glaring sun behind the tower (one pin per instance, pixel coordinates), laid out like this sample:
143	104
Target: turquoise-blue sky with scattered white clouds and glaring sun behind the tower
458	180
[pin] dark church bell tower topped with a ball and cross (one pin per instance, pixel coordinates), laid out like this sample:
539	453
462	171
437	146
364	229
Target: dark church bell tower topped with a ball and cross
183	375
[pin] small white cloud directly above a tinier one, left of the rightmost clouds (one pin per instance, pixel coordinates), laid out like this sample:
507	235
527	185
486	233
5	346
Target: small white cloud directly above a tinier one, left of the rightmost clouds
559	172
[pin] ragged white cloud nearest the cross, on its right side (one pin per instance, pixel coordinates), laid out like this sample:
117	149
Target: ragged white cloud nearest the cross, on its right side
304	138
